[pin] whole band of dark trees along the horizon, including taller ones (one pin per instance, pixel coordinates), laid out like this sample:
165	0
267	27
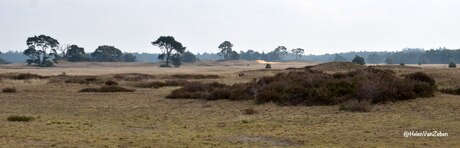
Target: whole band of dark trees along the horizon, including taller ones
44	50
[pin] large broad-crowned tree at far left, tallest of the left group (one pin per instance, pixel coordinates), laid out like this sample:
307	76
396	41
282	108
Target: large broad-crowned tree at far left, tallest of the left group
41	50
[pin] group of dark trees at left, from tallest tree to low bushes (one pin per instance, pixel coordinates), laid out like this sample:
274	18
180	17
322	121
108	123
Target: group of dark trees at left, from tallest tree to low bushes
43	51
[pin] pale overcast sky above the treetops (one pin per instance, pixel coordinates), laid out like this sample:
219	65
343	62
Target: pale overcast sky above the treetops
318	26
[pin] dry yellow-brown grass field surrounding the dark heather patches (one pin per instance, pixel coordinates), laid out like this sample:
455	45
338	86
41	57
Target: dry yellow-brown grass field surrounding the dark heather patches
63	117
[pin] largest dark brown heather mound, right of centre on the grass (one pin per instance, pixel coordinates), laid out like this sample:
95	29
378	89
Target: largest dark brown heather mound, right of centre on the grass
310	87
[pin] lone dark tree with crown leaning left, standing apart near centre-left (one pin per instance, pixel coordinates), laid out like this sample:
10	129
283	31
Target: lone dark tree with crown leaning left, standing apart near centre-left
169	47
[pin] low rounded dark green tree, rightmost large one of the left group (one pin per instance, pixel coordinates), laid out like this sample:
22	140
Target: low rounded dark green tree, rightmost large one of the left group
107	54
